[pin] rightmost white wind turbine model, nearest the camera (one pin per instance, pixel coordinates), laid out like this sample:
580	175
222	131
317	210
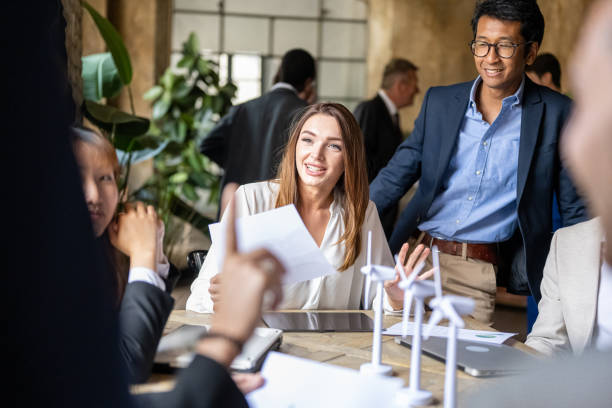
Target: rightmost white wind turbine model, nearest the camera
452	308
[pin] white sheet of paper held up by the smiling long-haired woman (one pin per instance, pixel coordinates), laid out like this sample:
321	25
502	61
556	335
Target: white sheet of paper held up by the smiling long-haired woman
282	232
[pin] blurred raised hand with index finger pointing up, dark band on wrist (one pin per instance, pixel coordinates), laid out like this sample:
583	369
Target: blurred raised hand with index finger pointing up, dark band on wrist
241	287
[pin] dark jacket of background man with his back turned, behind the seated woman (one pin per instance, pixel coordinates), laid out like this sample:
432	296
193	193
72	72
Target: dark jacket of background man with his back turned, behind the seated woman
248	142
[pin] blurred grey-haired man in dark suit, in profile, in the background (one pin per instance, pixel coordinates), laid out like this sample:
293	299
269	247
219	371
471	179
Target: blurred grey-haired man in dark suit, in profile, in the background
380	123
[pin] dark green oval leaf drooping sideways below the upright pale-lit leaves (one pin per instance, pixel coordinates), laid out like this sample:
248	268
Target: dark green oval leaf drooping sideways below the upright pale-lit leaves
105	117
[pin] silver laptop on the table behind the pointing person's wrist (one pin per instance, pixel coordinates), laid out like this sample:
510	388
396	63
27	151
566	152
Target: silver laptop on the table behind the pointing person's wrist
176	349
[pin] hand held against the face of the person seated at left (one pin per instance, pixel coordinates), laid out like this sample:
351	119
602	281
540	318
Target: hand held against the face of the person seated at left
134	233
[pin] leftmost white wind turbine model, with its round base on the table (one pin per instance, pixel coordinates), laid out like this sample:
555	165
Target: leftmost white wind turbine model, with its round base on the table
378	274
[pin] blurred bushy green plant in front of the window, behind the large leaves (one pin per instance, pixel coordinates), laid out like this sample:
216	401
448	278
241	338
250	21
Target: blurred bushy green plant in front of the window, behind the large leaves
186	103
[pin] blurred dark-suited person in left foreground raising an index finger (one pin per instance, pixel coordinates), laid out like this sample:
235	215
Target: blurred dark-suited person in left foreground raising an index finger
64	332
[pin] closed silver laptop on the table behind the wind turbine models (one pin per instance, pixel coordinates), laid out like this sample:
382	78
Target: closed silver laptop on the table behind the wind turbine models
478	359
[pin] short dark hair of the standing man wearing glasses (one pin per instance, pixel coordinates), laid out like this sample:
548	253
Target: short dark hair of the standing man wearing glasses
525	11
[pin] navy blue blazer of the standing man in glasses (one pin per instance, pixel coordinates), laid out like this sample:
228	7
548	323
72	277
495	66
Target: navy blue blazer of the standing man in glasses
425	155
